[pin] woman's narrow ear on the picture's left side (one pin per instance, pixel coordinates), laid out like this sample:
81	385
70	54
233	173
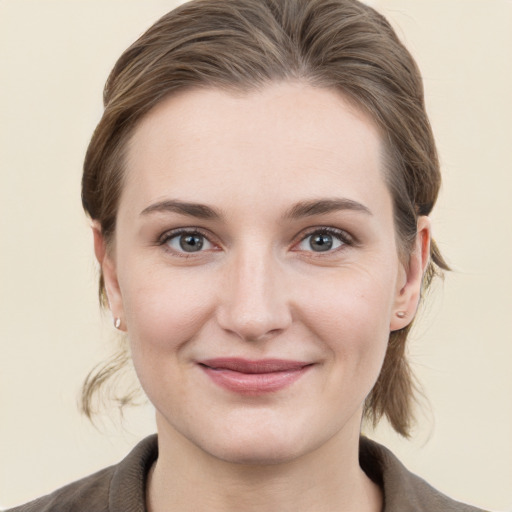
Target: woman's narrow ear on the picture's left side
107	263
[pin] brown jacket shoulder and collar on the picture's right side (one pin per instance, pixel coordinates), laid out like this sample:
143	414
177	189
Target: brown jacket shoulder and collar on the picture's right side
403	490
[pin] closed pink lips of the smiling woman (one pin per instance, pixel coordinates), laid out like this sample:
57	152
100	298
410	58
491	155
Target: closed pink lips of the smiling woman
250	377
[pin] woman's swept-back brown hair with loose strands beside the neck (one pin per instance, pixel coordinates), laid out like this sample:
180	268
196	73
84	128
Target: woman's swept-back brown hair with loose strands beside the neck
243	45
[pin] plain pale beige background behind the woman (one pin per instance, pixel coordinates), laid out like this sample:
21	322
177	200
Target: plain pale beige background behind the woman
54	58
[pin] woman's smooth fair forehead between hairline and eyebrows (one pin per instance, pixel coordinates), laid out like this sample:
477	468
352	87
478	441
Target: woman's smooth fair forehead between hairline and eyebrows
282	140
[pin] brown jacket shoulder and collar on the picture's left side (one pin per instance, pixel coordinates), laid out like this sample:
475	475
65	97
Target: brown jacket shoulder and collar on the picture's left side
118	488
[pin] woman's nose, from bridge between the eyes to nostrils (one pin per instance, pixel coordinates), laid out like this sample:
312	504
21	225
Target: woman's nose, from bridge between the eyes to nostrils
254	303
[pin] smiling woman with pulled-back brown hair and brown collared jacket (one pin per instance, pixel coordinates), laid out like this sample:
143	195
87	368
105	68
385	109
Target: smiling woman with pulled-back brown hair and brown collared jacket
259	188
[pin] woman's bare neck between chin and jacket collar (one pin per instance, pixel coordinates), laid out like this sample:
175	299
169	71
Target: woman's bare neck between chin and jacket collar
329	478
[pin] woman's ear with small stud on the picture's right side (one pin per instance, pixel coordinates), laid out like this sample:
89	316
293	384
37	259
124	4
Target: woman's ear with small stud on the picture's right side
408	294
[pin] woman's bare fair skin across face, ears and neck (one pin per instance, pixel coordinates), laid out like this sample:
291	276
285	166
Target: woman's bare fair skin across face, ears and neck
259	289
